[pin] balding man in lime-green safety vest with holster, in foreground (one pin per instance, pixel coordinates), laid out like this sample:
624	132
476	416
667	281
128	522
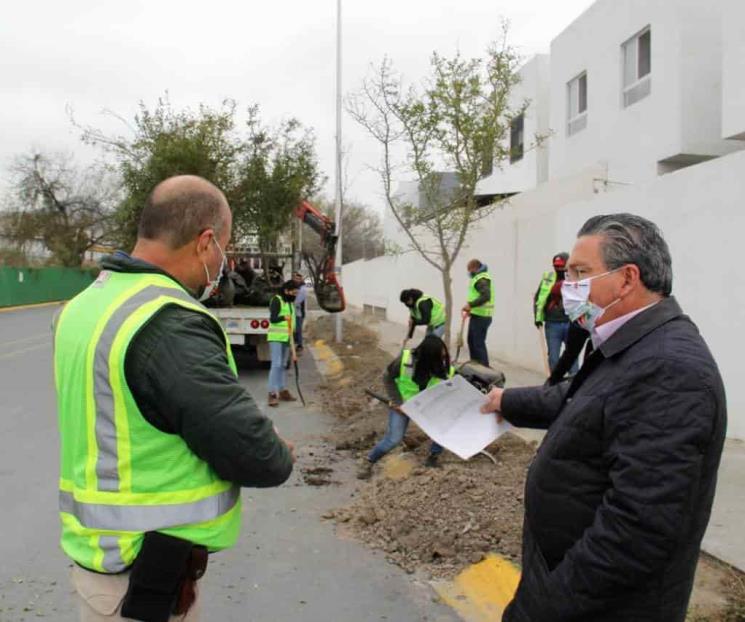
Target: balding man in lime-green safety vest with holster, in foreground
157	435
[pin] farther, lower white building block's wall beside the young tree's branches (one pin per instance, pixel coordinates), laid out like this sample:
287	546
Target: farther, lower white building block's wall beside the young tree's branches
532	169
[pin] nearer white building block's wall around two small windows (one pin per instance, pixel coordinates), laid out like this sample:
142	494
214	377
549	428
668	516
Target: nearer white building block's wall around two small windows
681	116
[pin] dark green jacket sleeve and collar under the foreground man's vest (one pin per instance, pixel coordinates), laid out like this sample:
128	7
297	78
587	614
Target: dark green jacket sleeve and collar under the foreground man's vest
178	372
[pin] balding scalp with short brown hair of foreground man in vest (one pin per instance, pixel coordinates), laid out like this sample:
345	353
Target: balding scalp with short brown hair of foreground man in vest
180	208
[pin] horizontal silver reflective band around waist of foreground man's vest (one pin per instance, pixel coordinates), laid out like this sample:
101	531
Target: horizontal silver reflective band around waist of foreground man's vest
148	517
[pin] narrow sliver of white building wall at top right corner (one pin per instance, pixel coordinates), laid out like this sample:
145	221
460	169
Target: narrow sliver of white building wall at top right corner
733	87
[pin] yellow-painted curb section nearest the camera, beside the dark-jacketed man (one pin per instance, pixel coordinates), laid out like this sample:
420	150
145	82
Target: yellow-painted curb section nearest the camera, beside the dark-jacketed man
482	591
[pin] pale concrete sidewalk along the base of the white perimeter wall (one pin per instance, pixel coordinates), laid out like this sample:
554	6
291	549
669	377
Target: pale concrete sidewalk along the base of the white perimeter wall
723	538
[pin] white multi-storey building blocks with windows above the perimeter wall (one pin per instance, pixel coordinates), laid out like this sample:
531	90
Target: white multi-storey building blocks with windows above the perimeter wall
640	88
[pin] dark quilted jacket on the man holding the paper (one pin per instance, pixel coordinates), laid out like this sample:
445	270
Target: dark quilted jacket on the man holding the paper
620	491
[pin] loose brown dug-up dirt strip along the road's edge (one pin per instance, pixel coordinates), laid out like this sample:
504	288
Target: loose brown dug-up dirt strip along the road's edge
437	519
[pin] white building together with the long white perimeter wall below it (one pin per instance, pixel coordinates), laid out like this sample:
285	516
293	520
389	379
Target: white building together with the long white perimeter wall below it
646	102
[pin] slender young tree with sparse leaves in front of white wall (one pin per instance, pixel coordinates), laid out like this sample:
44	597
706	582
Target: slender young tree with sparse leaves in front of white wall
457	120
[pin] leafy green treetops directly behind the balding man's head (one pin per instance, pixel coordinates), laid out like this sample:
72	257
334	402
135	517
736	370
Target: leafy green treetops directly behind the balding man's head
263	172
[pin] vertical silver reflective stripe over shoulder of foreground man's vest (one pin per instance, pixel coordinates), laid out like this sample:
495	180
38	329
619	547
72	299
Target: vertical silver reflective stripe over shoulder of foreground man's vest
107	470
